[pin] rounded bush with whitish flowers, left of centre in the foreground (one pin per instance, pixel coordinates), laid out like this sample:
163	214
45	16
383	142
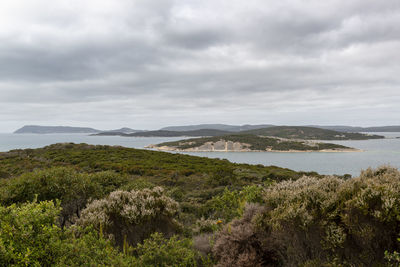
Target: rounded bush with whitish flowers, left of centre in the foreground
132	216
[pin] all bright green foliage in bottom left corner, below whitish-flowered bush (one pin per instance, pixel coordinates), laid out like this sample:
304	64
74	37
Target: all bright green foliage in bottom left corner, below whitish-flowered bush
30	236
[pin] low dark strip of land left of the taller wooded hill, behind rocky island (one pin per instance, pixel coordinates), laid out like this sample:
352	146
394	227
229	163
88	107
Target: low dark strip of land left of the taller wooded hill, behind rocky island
163	133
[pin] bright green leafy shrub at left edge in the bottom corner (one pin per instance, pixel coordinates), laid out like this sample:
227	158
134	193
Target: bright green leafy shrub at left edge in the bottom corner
29	234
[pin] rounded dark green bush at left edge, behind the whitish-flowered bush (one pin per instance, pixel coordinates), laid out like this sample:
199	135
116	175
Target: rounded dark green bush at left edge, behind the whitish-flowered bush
74	189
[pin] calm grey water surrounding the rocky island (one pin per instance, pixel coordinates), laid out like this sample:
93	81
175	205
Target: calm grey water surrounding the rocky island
376	152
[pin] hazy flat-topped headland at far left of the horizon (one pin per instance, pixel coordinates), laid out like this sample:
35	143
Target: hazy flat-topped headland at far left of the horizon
54	129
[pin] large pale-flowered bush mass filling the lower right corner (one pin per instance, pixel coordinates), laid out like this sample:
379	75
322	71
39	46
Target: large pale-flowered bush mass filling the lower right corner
329	219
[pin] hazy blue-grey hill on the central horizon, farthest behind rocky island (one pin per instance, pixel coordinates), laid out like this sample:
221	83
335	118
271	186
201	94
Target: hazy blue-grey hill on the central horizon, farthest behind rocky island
222	127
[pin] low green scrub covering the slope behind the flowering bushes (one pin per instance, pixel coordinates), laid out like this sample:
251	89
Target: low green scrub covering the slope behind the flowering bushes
190	180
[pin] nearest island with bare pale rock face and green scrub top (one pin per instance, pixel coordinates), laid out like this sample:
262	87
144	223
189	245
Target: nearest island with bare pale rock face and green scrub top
248	143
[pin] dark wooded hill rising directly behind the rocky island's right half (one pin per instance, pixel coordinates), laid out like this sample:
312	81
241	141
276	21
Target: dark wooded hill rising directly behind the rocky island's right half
310	133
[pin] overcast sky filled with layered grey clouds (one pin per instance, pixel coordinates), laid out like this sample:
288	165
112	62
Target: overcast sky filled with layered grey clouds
147	64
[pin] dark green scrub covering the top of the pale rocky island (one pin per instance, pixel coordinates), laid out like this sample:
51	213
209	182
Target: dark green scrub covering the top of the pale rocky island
255	143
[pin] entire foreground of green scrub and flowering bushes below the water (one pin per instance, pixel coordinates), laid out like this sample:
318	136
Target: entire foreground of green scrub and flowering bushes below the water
81	205
